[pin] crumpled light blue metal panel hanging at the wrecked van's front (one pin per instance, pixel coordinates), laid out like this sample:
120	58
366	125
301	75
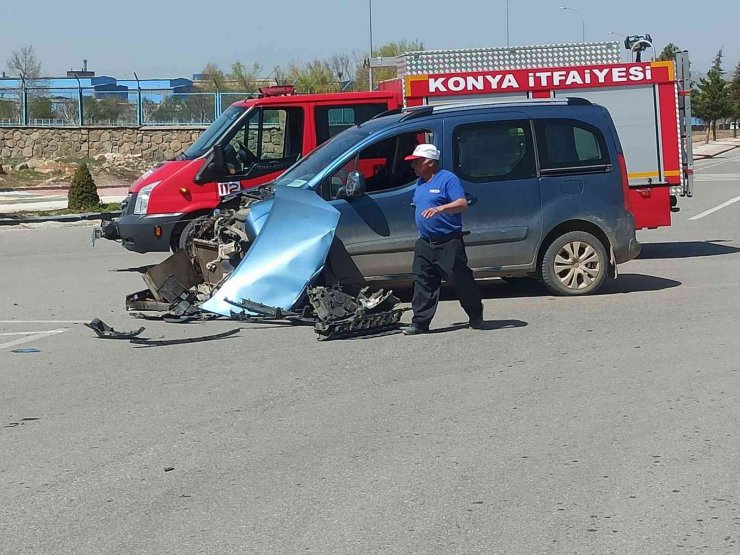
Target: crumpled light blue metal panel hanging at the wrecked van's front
288	253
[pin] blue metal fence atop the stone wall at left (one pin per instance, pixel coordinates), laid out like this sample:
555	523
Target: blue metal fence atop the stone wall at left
39	106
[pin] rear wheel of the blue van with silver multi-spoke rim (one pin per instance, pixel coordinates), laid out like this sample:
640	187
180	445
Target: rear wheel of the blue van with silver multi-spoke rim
574	264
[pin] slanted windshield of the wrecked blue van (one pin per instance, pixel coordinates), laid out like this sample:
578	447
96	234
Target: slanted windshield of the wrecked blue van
300	174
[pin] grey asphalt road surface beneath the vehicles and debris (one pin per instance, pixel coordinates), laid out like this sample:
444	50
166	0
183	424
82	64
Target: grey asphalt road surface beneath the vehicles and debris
606	424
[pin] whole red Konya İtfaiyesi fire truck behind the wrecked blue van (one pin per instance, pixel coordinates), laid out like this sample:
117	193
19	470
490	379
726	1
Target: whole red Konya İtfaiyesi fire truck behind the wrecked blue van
259	138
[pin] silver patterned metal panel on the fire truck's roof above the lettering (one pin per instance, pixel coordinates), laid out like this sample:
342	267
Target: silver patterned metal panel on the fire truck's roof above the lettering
515	57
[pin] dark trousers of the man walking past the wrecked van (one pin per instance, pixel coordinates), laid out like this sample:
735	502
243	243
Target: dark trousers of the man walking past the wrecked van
436	262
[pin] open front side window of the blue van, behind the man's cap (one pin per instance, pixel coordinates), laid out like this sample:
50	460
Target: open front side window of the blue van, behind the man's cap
382	164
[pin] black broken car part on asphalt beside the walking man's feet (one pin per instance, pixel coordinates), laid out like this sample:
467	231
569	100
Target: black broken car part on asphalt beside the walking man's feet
342	315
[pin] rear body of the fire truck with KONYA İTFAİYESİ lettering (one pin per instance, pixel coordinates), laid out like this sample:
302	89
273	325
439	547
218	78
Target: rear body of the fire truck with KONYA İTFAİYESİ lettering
648	101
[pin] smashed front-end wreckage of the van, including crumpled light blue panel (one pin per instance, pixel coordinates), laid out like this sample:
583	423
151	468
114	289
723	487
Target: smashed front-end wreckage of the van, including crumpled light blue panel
251	265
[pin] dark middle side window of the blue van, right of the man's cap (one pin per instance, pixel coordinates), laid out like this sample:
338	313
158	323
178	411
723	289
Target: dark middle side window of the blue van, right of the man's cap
494	151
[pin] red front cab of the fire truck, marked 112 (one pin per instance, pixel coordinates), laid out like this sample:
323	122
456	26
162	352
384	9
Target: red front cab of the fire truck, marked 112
251	143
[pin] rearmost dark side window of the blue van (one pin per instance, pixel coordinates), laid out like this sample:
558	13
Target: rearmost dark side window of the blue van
564	144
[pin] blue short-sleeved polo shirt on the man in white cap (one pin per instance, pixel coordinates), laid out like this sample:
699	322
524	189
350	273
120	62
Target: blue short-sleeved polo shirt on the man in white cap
444	187
